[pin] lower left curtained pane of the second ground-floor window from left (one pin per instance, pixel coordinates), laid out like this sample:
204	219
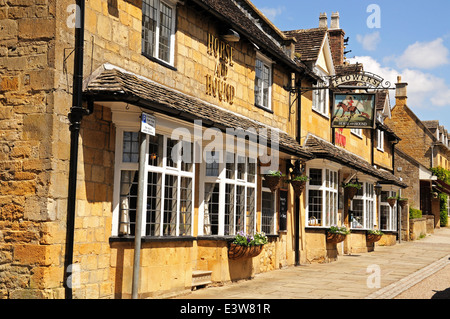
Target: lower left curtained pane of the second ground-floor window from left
211	214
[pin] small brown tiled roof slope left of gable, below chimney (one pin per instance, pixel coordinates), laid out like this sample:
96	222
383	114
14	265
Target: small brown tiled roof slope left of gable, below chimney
308	43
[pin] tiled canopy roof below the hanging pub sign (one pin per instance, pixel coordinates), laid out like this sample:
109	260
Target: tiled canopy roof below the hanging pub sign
323	149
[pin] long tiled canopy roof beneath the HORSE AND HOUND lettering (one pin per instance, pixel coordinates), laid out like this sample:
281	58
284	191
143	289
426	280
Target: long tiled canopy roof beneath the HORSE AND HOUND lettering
110	83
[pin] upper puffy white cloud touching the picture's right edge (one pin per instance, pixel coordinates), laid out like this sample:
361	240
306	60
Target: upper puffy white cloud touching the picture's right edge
424	55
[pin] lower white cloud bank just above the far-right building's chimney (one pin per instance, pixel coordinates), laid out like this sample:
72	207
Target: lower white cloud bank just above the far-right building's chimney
425	90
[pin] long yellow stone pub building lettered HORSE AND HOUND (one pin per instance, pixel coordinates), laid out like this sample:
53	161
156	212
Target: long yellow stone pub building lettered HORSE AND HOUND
188	104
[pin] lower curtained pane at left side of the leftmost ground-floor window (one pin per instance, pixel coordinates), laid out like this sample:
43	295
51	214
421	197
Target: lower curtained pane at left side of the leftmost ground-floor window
128	202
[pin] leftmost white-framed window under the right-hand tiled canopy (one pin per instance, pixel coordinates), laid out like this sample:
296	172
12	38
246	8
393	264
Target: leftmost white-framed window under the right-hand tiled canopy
322	206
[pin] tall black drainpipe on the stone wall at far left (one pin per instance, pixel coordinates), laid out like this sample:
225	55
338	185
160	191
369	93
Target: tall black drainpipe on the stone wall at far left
75	116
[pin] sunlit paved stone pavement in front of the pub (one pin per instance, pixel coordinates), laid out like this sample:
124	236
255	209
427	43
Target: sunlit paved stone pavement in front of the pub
417	269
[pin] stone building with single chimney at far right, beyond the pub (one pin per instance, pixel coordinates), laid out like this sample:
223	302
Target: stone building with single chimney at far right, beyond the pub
422	147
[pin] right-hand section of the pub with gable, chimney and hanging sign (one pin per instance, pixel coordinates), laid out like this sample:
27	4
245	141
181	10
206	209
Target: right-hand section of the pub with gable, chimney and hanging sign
342	154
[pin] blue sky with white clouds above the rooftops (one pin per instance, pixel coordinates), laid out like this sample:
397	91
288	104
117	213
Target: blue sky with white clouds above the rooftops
410	39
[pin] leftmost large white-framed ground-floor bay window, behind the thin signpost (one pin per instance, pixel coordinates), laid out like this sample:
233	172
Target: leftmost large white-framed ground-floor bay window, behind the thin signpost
169	184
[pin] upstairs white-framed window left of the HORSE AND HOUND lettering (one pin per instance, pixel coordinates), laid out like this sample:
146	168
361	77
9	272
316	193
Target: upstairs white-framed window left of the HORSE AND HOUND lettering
158	30
